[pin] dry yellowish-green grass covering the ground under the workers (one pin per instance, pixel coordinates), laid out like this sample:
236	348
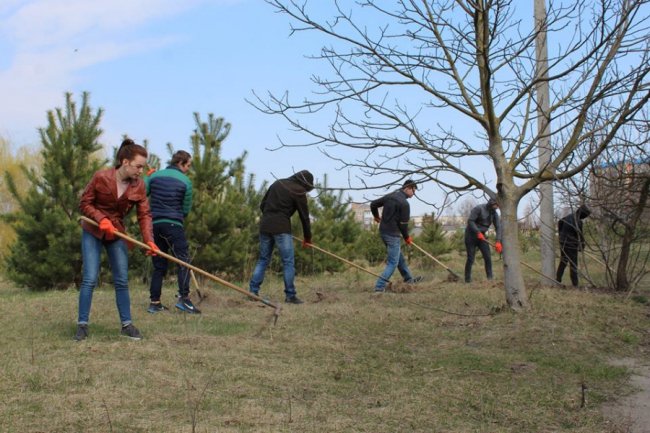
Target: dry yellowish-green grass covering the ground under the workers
437	357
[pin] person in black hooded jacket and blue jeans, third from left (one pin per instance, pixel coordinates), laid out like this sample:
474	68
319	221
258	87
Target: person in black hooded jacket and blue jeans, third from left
283	198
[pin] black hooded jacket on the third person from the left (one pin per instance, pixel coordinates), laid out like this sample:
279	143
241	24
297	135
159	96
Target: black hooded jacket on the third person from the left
283	198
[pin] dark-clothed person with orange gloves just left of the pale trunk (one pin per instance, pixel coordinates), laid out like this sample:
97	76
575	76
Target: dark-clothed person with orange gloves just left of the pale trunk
480	219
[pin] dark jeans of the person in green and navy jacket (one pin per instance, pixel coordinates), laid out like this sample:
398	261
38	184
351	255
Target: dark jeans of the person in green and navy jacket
170	238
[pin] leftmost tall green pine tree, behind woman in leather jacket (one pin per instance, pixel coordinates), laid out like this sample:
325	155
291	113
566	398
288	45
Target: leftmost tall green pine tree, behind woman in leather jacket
46	253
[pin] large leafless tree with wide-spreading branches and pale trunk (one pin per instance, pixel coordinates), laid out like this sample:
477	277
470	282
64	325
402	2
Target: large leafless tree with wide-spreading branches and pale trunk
398	67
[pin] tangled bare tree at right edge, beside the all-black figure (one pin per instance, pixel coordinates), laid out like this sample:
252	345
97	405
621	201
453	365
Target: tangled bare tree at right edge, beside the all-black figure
617	188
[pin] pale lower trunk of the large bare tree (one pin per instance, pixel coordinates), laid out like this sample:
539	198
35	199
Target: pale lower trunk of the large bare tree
513	279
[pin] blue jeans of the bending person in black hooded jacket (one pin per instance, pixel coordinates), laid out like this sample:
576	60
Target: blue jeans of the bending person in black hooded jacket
284	242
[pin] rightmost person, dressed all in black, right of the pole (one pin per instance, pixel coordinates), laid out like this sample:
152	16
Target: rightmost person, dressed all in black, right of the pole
571	241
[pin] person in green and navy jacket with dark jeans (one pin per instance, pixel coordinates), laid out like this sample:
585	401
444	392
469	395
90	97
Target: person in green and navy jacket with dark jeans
170	197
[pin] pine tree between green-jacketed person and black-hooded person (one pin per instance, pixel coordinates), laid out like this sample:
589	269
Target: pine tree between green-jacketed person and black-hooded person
222	226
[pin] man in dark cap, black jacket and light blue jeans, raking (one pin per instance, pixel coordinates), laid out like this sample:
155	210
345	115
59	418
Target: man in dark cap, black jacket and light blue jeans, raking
393	222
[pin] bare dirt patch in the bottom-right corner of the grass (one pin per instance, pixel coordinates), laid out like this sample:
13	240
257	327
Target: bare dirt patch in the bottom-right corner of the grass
632	413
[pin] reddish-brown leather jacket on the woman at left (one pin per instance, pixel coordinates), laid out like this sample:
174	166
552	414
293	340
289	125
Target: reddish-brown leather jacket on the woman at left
99	200
